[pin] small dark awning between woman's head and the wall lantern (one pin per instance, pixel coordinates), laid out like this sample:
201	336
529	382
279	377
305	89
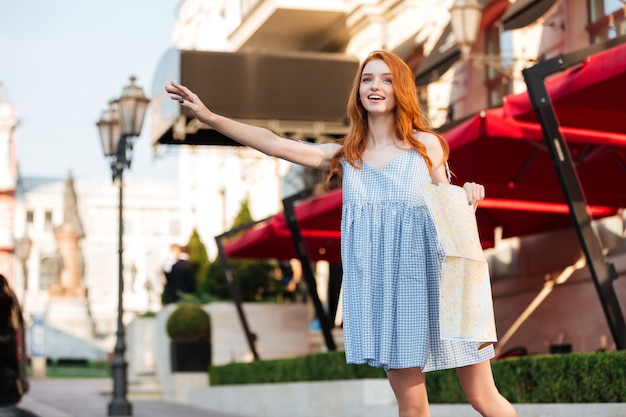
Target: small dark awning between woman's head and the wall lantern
445	53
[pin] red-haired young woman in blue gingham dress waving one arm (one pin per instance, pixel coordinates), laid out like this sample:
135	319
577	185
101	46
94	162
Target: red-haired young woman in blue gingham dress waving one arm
391	254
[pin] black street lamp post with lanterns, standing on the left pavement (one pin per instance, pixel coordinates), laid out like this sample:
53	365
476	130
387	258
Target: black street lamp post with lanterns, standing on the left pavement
119	124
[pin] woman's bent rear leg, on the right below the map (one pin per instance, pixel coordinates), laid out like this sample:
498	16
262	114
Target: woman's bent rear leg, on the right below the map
481	391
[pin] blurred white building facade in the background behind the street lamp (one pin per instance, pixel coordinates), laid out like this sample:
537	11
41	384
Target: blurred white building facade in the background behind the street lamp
152	222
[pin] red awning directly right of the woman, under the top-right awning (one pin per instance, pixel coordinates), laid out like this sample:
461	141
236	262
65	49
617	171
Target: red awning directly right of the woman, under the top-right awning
524	194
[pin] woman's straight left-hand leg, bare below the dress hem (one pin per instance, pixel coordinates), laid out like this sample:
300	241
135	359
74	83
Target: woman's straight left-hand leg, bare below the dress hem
409	386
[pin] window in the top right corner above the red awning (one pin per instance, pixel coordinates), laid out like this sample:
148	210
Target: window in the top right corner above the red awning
606	20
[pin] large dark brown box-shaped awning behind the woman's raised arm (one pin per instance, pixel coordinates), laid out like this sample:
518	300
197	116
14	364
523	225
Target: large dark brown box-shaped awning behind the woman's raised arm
303	94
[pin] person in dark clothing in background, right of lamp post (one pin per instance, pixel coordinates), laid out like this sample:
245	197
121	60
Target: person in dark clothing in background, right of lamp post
179	275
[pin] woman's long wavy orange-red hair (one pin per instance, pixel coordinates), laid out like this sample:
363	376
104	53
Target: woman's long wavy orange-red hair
408	117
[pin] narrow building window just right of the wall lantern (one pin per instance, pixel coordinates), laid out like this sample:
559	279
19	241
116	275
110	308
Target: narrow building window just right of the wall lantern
499	43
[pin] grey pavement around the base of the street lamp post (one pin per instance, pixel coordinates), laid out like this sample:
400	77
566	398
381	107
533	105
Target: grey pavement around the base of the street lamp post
90	398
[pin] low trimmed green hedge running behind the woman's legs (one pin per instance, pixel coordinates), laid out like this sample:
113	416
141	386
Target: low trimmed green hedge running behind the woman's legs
566	378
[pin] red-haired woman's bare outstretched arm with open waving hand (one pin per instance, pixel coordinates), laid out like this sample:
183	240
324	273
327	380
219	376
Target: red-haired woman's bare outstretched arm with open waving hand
255	137
